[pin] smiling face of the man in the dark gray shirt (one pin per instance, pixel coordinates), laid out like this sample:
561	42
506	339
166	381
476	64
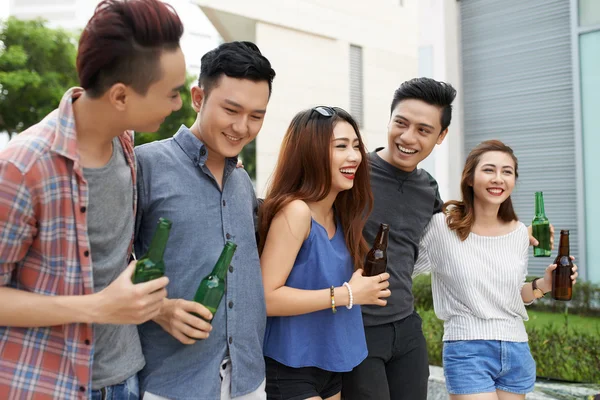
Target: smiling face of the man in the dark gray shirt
413	131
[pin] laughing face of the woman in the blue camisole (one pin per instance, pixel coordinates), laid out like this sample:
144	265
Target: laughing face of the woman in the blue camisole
345	156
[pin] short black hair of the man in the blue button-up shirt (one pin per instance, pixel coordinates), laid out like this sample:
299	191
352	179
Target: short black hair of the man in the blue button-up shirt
235	60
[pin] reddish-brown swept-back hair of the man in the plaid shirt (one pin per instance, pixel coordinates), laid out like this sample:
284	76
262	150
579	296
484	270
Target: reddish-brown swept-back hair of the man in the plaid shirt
122	43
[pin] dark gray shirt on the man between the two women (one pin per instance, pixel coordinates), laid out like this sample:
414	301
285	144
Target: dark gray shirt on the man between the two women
406	201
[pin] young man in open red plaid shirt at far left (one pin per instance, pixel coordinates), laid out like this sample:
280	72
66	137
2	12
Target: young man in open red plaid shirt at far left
67	210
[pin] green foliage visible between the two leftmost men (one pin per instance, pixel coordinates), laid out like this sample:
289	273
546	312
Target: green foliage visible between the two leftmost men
184	116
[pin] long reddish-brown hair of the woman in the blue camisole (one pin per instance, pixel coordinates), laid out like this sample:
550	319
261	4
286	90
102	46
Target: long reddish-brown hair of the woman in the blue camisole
303	172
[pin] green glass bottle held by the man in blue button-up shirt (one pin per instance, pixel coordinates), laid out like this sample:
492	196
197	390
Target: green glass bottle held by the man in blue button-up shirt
212	288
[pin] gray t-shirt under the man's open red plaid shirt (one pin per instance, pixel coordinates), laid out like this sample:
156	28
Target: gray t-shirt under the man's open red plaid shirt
117	348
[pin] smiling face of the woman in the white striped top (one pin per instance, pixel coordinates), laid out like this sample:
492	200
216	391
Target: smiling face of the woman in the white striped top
494	178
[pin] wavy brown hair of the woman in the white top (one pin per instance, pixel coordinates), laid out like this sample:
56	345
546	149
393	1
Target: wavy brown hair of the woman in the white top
460	215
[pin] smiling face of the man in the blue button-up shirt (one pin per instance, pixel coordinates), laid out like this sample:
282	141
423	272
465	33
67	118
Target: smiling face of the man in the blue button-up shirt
231	115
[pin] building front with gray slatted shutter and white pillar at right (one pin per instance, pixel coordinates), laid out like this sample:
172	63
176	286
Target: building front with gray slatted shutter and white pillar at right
527	74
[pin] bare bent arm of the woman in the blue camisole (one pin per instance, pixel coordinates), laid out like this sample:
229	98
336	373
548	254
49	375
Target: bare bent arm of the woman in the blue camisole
287	232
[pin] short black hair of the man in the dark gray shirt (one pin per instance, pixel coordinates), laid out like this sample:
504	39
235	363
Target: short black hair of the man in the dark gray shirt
430	91
